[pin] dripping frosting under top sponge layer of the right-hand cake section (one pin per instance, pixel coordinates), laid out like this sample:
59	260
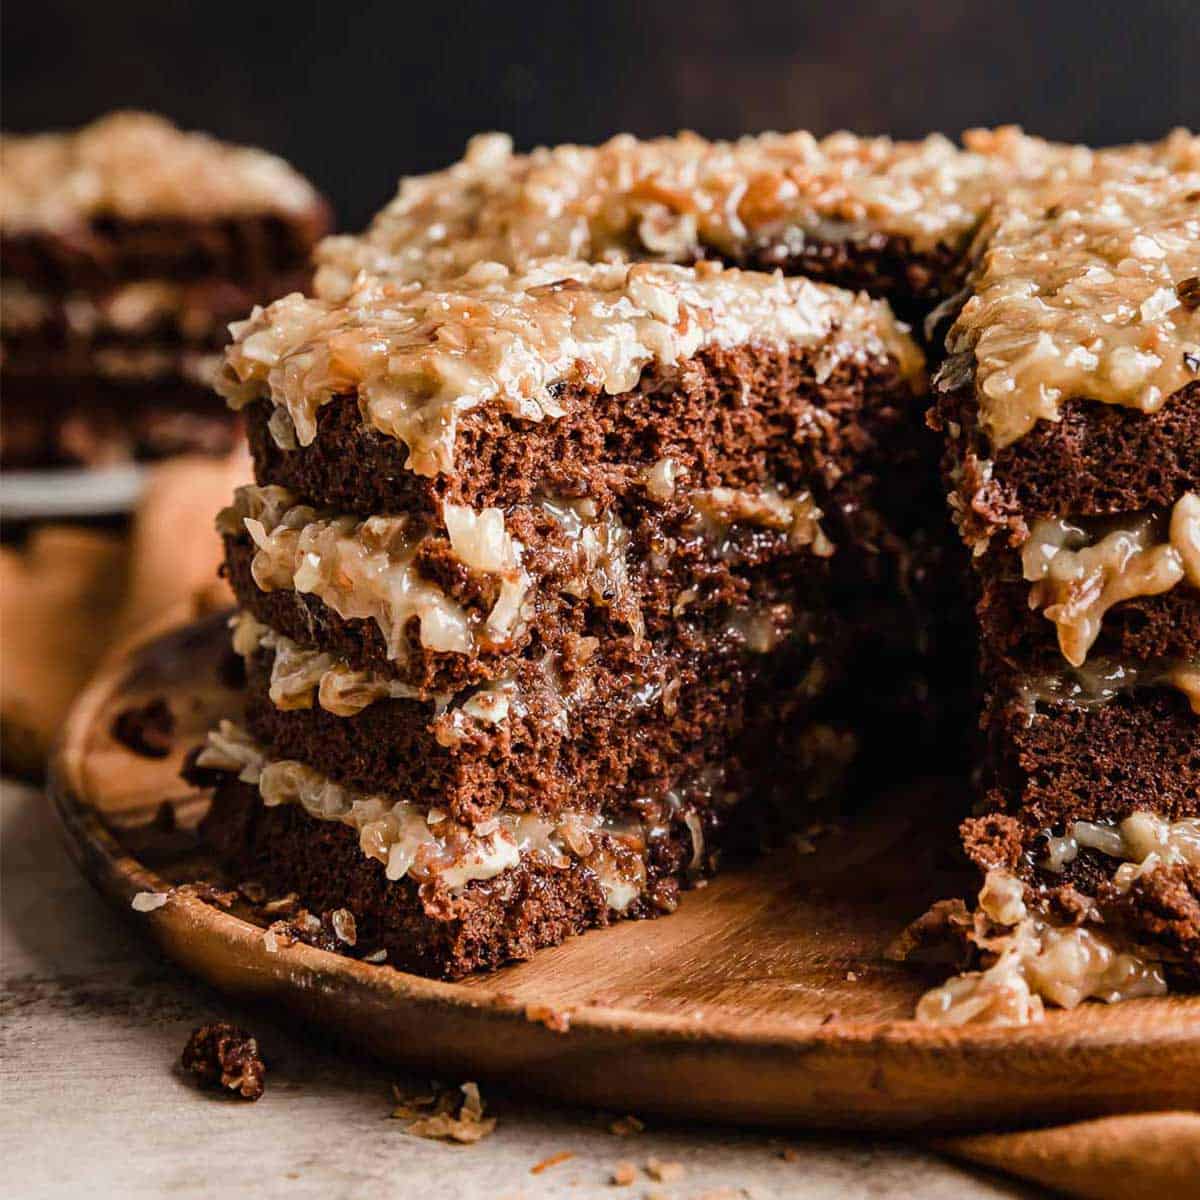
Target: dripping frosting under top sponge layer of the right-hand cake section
1079	577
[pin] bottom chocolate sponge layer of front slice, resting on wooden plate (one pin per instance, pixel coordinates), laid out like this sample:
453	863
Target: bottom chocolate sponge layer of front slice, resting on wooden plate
433	929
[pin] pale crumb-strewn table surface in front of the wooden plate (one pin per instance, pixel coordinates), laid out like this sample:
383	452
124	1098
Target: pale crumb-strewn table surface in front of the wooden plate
94	1103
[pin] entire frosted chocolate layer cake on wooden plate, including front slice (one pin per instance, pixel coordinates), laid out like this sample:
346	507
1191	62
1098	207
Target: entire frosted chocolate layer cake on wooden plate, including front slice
646	529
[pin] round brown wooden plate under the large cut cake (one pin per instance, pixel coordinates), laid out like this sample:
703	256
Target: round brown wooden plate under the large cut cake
766	999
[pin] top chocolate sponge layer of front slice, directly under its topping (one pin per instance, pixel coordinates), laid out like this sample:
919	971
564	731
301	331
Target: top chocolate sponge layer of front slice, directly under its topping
741	417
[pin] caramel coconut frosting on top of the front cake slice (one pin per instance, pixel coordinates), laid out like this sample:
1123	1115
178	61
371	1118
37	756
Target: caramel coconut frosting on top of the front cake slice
419	358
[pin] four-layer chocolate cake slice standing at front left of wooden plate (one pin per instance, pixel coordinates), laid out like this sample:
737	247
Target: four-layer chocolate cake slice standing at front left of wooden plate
539	578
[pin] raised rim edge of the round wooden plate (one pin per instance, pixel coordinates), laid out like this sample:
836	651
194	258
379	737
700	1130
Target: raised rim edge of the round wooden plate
1173	1033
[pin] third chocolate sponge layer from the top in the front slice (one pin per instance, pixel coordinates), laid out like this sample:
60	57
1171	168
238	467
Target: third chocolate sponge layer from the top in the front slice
592	735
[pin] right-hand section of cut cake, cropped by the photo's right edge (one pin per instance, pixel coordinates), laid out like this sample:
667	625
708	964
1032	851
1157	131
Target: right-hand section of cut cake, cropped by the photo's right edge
1072	406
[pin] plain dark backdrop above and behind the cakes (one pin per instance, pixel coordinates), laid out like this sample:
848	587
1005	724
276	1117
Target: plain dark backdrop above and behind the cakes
358	94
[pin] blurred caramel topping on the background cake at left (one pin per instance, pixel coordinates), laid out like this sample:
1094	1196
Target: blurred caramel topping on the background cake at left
139	167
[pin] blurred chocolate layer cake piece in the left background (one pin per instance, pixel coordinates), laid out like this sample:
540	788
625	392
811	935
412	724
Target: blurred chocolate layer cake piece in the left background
127	248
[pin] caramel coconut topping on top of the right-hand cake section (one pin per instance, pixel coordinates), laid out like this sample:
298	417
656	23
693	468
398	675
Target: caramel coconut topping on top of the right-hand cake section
1089	291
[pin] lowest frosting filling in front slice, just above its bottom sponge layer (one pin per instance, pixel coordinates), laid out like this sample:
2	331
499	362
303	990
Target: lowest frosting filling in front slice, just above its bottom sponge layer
429	848
